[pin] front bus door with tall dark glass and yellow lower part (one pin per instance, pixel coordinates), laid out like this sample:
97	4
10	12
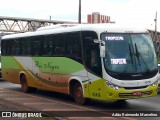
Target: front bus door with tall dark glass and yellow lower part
92	62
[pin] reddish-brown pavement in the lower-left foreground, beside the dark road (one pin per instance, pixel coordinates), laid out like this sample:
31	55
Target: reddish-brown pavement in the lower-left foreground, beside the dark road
19	106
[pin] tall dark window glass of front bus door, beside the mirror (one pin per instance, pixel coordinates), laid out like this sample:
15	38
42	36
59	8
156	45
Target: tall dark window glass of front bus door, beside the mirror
91	52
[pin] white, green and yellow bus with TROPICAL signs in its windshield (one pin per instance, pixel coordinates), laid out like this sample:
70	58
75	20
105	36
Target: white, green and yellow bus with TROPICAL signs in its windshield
98	61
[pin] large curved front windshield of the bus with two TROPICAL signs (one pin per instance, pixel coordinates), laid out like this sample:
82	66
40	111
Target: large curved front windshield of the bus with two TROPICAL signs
129	54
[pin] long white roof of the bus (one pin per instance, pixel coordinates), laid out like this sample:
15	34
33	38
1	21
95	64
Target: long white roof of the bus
98	28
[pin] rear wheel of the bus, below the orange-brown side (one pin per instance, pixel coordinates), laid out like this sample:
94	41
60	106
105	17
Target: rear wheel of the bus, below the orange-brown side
24	85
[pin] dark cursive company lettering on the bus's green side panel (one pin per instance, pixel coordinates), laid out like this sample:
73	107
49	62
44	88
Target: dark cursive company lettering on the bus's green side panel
48	65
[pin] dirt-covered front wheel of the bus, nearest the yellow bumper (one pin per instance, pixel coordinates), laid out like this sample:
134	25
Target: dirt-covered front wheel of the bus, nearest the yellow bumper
78	95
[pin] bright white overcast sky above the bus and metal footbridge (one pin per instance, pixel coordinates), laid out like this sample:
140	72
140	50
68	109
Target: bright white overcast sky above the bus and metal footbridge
125	12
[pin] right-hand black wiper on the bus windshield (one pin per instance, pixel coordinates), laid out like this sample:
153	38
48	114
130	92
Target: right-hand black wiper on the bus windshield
138	55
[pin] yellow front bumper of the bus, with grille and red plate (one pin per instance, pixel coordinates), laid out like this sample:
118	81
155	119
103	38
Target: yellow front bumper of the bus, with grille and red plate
108	93
